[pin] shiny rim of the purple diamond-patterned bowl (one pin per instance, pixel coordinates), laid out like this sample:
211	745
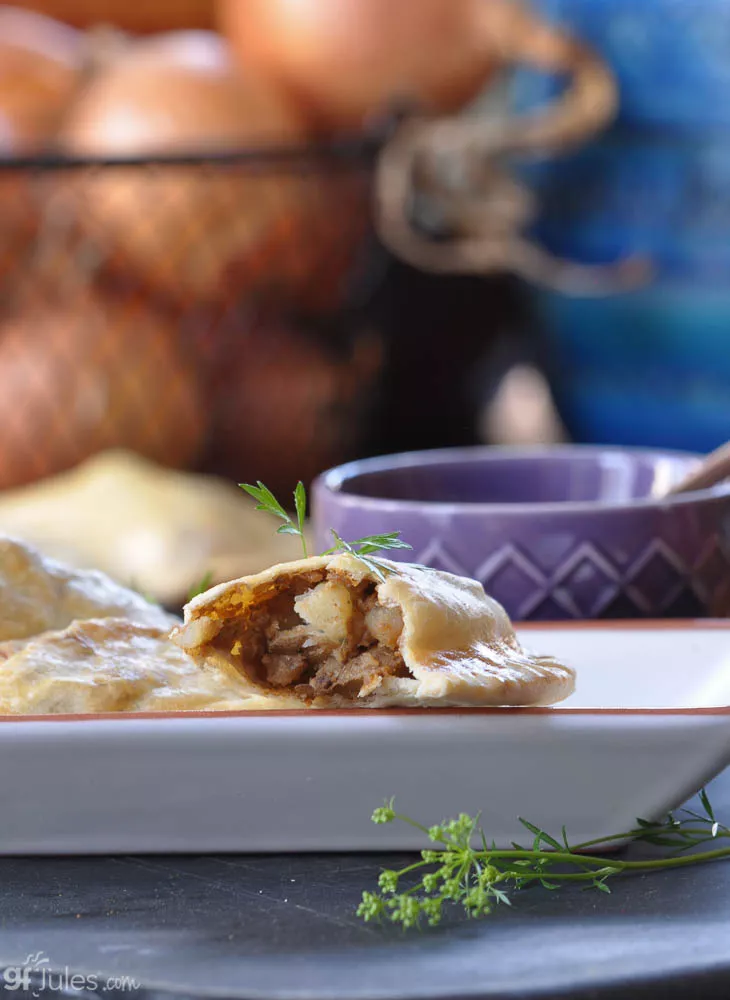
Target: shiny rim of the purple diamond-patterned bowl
332	480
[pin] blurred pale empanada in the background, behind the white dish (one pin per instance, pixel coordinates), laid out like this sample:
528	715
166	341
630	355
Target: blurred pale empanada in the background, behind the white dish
161	529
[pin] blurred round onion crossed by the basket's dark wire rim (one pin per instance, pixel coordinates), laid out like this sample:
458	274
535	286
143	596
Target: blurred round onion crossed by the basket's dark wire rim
182	229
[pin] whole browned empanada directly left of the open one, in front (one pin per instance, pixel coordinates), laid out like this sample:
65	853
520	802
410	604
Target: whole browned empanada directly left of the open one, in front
114	665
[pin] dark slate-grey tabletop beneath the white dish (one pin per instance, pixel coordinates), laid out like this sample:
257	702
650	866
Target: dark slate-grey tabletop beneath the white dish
284	927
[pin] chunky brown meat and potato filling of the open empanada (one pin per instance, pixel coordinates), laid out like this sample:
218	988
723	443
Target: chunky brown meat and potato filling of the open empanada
318	634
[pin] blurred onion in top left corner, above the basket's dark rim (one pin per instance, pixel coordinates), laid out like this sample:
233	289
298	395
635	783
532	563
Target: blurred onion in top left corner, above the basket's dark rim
41	62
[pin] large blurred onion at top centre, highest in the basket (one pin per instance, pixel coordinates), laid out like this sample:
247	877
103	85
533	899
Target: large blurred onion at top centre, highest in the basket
347	60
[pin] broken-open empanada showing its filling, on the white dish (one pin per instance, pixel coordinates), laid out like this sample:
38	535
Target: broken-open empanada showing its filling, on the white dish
329	632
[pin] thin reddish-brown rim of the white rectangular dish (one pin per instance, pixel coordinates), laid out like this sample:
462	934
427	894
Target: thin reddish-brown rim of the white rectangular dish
628	625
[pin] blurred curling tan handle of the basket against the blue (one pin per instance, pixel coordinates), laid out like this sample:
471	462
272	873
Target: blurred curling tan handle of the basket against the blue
459	163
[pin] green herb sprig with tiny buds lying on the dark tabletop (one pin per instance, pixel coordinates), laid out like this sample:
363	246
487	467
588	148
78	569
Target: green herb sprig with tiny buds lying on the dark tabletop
455	873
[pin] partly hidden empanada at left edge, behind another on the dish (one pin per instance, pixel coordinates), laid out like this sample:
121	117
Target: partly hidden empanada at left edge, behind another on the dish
38	594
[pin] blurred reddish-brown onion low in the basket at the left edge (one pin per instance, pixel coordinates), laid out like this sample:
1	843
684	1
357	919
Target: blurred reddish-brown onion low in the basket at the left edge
84	374
